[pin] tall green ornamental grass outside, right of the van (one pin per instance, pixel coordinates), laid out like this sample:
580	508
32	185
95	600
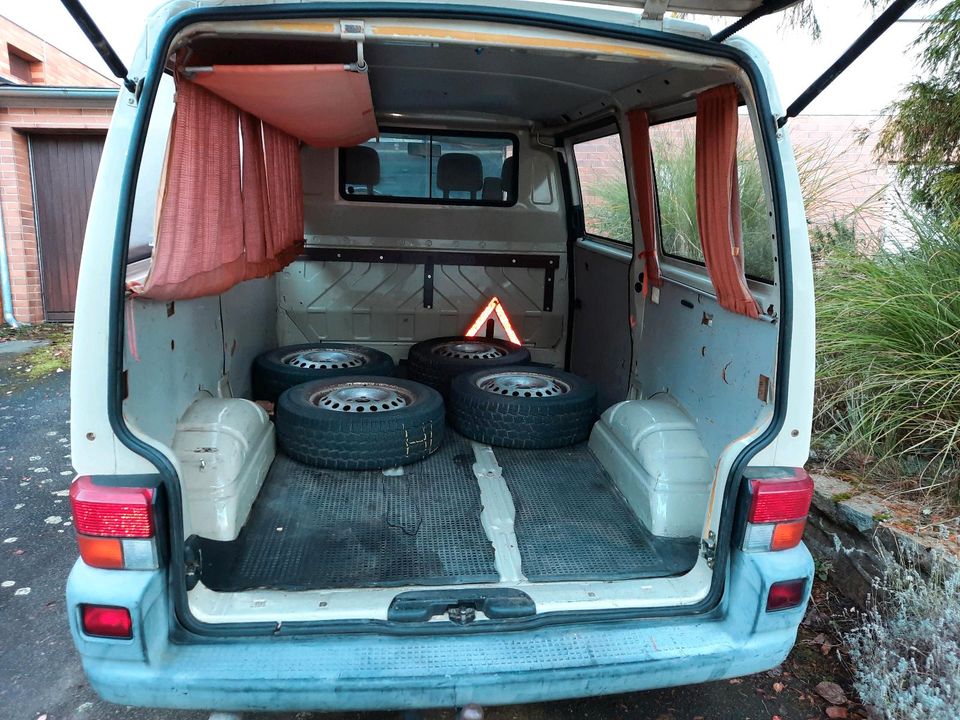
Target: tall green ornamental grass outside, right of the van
888	325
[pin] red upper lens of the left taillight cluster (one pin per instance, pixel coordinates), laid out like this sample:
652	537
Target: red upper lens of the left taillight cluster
111	511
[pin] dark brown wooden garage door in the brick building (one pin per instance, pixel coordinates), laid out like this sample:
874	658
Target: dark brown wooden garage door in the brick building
64	170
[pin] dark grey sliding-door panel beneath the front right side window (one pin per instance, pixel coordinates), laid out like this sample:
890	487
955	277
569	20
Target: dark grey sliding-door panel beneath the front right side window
601	324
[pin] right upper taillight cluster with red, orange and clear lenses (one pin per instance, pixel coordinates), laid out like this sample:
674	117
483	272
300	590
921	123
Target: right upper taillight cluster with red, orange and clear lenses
775	504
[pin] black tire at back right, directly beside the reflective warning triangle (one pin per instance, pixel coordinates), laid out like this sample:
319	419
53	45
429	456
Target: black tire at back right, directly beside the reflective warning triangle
436	362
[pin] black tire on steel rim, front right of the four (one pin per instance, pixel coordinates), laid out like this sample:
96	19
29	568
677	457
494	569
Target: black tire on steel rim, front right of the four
554	409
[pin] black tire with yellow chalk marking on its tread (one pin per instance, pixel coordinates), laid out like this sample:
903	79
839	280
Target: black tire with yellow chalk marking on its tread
314	428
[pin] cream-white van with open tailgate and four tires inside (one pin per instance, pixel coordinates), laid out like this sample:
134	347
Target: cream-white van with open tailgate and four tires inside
519	413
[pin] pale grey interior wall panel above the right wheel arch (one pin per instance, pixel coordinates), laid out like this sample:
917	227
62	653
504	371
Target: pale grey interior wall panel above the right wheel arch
716	364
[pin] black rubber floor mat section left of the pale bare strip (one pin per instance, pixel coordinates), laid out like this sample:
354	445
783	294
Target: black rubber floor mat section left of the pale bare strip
312	528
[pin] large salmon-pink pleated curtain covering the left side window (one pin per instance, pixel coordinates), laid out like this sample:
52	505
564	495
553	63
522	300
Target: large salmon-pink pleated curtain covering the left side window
232	202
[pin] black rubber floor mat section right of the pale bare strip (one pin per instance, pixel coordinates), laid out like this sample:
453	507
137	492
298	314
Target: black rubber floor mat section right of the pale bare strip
573	524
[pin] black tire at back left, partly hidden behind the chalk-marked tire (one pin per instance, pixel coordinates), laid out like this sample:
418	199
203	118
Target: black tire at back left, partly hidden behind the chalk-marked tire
273	372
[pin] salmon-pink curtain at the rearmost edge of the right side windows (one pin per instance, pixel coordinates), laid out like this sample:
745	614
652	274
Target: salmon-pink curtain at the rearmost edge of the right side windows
718	198
